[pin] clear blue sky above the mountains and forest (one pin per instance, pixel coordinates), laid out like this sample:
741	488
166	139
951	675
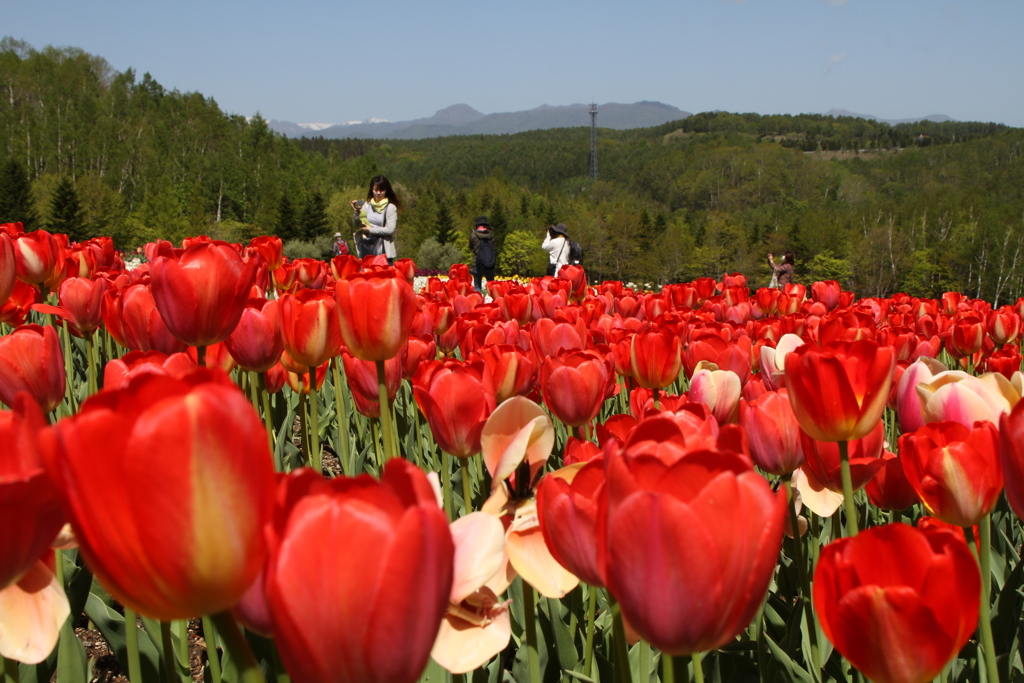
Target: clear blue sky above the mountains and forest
314	61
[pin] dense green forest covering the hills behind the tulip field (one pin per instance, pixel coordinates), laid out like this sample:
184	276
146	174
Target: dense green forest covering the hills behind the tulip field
921	208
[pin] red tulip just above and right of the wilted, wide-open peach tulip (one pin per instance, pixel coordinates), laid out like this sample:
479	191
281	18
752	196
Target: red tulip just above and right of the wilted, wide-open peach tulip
575	386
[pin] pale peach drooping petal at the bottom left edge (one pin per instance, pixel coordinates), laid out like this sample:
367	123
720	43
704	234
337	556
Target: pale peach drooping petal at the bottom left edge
32	613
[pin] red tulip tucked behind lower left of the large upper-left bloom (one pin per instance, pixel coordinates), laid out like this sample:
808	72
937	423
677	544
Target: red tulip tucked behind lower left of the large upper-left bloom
132	318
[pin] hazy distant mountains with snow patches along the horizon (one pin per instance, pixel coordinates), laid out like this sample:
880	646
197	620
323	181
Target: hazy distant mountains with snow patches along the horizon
464	120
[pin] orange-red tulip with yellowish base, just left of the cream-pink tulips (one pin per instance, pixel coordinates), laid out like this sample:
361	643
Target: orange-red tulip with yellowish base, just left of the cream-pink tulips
839	392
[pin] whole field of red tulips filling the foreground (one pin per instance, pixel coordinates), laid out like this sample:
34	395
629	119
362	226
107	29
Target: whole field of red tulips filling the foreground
315	472
